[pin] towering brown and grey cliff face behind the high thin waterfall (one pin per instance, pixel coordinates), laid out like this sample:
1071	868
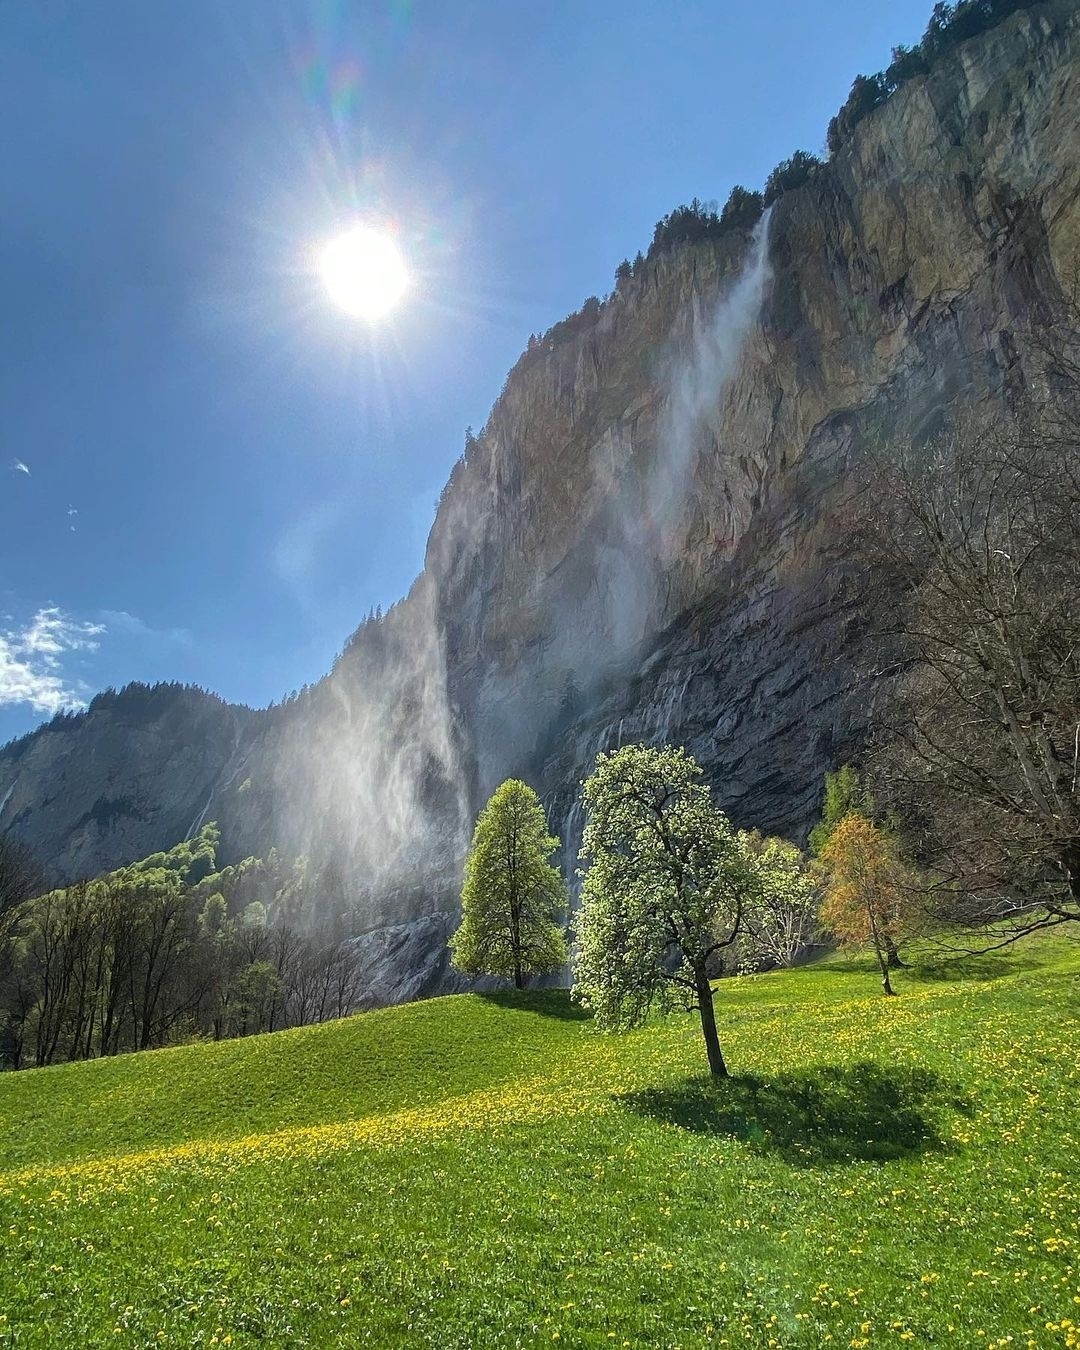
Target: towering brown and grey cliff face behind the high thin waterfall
900	284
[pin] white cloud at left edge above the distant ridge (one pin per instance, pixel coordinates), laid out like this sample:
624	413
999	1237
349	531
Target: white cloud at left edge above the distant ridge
32	668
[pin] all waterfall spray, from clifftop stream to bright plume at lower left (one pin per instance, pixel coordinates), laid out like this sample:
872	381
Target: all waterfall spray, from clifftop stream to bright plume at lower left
377	772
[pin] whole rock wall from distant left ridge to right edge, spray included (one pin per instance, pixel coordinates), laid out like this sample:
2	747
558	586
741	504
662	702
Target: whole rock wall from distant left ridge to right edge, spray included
647	541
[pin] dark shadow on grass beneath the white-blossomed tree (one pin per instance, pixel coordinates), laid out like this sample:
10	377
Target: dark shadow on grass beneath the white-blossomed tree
826	1116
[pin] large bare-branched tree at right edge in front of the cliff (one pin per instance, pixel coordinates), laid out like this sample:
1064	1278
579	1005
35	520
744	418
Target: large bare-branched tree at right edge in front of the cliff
974	554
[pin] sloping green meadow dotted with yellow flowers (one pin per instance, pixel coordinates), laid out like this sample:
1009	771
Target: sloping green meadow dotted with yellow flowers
489	1171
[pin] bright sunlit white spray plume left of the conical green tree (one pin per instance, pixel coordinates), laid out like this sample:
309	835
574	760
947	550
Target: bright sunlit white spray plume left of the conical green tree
369	774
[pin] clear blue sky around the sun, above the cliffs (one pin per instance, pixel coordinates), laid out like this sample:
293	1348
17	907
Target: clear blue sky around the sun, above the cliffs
210	475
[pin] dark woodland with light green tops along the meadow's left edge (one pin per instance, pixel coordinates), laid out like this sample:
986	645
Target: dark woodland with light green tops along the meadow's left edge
167	948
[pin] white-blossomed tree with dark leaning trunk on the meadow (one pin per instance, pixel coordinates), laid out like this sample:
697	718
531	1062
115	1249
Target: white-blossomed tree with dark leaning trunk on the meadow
665	892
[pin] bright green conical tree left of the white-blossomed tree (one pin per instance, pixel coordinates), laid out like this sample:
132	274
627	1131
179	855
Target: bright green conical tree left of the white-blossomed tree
514	897
